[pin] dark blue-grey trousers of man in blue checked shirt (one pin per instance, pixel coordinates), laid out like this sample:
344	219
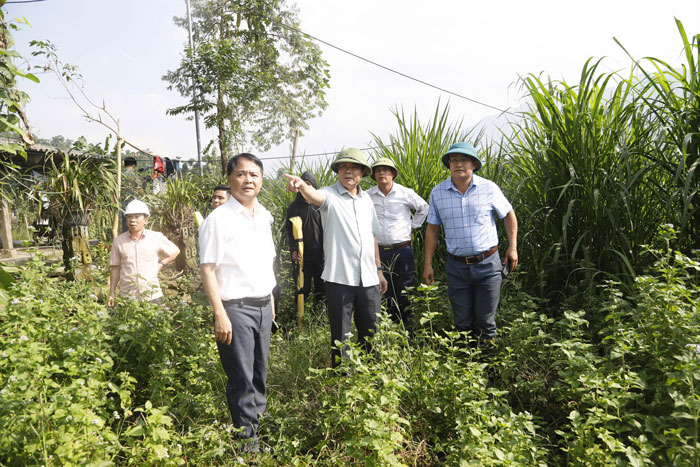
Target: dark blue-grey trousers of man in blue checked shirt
474	291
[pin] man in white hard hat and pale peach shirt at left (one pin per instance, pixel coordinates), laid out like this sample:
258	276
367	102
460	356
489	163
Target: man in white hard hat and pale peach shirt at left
137	256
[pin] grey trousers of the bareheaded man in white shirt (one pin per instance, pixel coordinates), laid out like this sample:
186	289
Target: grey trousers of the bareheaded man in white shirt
245	363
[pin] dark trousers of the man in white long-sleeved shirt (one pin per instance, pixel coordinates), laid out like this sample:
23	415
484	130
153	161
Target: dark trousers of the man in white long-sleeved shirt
399	275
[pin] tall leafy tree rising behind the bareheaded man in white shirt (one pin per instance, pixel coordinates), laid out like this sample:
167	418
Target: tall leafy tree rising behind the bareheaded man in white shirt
251	74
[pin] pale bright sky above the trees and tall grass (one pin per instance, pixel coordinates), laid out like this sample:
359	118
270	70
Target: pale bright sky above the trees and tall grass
478	49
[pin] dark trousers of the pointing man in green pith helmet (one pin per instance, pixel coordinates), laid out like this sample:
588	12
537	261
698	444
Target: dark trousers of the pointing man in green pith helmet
341	300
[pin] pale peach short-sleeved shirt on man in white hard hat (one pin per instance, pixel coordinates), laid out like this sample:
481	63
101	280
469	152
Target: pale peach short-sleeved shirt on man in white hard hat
138	262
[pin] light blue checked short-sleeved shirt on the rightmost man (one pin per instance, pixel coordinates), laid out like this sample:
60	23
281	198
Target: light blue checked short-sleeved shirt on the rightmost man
470	228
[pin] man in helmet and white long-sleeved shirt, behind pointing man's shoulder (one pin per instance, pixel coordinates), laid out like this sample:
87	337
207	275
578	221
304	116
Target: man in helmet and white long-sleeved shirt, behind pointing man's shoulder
394	204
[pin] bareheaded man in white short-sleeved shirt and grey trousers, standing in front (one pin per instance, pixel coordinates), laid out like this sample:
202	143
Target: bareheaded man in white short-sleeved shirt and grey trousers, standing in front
236	254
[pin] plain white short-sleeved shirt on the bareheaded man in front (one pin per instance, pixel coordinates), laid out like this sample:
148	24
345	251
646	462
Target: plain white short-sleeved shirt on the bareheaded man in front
241	248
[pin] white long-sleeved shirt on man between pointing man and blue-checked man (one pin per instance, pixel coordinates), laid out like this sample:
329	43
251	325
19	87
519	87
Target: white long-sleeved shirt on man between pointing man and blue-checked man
394	213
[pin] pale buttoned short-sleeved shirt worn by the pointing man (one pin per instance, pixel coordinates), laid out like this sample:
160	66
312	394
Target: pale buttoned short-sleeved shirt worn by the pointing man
349	226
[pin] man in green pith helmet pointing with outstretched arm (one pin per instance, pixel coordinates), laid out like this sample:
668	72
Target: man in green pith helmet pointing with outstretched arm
352	270
